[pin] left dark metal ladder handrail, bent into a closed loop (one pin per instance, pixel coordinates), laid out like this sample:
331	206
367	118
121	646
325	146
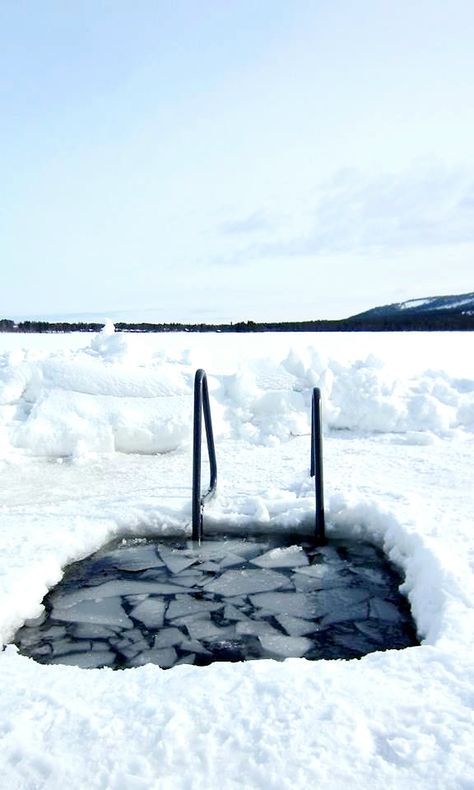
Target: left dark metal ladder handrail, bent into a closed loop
202	405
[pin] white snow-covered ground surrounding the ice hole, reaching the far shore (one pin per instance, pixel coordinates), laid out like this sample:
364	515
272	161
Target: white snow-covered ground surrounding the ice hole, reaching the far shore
95	442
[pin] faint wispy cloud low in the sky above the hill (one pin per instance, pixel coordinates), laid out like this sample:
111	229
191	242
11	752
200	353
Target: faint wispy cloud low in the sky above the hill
428	205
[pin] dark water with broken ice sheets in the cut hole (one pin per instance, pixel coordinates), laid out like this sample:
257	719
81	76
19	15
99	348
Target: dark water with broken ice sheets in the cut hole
172	602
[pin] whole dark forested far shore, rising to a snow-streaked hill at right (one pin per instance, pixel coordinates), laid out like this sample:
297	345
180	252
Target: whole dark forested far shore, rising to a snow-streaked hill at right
433	313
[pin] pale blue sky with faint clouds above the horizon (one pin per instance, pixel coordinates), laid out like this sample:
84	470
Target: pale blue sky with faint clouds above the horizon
201	160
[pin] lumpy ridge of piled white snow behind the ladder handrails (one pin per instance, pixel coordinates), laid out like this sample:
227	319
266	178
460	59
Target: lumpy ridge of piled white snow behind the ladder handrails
115	395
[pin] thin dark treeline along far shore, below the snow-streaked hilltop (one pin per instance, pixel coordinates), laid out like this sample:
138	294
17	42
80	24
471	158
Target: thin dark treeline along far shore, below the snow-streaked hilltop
439	321
